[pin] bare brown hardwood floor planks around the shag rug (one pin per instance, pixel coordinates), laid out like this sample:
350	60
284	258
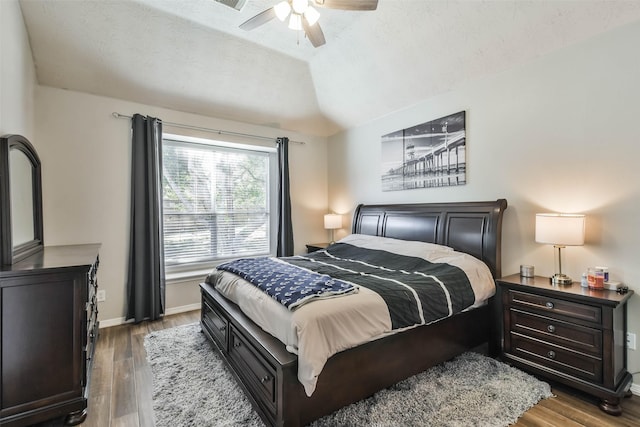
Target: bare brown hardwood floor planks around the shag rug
121	386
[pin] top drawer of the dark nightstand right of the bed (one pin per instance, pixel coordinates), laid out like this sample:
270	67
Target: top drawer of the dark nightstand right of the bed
555	306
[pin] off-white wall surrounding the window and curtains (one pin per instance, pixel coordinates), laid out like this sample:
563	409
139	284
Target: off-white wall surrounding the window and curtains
85	155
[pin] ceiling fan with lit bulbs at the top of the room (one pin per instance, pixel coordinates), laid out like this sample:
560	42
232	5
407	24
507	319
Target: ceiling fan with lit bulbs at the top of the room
303	16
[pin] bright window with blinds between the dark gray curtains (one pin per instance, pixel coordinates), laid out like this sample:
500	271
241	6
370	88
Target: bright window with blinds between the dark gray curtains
218	201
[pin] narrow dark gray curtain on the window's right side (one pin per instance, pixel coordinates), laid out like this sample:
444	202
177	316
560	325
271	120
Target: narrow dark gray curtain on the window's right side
285	228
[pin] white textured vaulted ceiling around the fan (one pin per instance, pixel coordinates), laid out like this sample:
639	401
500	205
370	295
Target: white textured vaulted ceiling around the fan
189	55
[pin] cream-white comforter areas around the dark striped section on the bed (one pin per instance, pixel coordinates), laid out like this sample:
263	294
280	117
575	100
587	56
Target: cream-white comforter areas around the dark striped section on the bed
322	328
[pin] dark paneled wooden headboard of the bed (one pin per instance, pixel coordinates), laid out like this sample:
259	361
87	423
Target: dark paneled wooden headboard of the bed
471	227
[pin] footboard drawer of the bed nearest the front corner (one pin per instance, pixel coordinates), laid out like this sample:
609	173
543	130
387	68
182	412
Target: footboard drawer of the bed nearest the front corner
255	370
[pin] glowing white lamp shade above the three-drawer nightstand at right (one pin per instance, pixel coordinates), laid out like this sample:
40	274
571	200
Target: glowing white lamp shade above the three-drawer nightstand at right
560	229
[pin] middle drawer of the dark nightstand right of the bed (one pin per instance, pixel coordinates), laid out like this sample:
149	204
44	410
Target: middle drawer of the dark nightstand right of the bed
574	337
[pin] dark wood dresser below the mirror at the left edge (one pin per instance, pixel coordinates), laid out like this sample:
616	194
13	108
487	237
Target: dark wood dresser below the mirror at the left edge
48	330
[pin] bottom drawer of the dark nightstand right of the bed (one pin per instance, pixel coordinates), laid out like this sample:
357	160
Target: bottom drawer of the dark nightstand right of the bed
557	358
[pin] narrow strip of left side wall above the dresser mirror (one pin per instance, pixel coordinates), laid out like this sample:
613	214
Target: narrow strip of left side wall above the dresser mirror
17	73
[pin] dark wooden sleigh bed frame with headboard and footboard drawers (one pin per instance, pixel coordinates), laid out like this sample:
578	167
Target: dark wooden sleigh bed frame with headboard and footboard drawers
268	372
